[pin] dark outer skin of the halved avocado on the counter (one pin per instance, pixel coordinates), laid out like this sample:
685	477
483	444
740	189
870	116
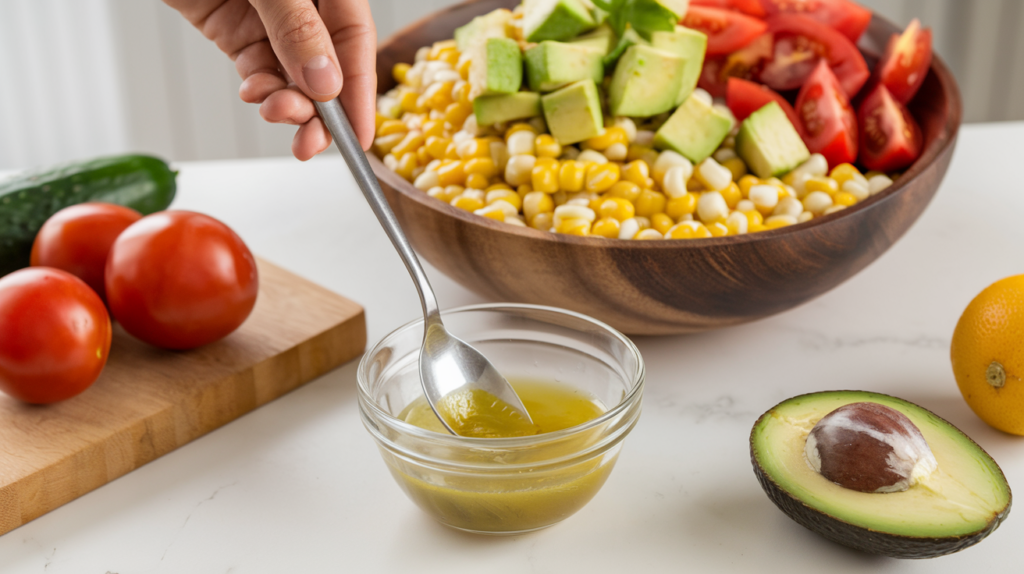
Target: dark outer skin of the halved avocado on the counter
864	540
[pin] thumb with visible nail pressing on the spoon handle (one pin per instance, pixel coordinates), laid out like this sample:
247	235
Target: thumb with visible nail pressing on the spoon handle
304	47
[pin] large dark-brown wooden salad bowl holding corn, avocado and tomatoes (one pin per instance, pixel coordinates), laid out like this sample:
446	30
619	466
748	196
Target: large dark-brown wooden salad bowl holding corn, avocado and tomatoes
678	286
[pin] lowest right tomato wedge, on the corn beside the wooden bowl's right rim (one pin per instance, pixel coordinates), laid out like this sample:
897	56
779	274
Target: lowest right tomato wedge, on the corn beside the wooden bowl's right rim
891	139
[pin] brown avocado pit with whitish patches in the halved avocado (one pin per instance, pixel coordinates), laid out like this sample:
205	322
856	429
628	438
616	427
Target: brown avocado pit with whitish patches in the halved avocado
870	448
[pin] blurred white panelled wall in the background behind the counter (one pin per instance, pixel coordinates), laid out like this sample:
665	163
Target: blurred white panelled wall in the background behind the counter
83	78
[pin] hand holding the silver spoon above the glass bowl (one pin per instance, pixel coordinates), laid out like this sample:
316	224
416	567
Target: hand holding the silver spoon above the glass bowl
290	53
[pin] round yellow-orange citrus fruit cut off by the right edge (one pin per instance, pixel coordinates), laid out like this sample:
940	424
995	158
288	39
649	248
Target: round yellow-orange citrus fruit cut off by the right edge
988	355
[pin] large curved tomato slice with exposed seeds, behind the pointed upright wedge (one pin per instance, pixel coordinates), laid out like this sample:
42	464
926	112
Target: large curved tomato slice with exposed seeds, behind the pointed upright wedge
800	43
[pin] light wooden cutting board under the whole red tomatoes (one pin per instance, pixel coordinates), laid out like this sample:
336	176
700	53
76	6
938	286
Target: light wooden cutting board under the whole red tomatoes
149	402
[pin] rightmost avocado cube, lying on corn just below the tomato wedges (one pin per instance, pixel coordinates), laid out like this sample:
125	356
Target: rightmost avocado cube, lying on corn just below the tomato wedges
770	144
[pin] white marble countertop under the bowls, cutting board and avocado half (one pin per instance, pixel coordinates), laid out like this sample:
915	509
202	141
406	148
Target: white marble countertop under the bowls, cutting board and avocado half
298	485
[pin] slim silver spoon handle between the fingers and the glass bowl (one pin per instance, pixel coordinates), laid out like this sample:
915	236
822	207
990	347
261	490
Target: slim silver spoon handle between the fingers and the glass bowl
345	138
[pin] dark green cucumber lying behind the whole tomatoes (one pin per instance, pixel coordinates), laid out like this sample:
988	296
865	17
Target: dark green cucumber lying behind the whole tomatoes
142	183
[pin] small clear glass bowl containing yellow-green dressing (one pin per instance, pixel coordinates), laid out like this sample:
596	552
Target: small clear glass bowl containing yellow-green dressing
507	485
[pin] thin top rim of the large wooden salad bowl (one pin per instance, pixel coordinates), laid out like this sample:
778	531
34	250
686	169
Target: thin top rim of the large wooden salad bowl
933	150
